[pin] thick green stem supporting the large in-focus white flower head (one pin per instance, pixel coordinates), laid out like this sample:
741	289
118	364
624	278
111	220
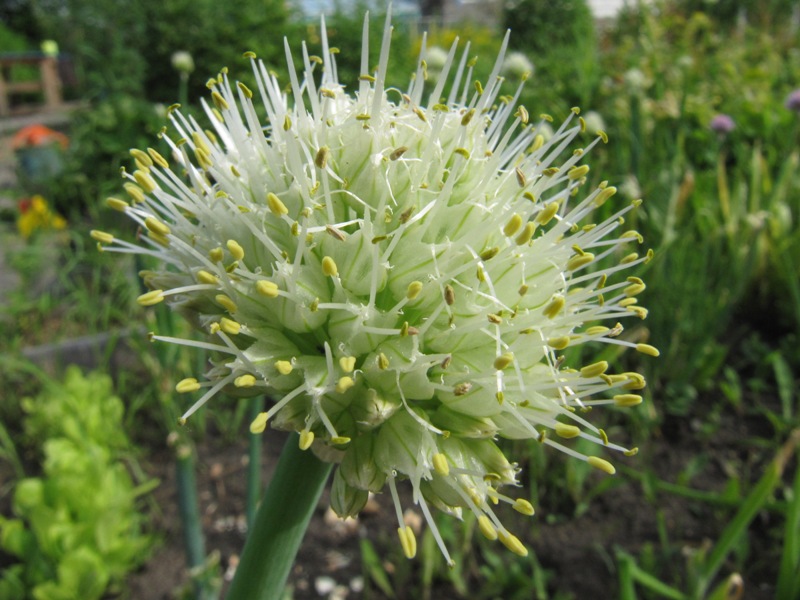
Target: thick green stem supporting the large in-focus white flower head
280	524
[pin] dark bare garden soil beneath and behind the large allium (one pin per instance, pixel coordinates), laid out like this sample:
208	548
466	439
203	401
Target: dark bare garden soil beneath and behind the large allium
577	552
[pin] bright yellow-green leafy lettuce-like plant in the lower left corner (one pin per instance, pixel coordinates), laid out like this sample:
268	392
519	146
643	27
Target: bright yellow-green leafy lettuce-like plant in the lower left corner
76	529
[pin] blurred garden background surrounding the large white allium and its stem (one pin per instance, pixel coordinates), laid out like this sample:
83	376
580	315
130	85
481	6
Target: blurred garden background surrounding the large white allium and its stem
103	496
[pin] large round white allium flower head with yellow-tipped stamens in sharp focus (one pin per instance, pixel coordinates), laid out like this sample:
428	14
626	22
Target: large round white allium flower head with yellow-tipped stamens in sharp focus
399	271
